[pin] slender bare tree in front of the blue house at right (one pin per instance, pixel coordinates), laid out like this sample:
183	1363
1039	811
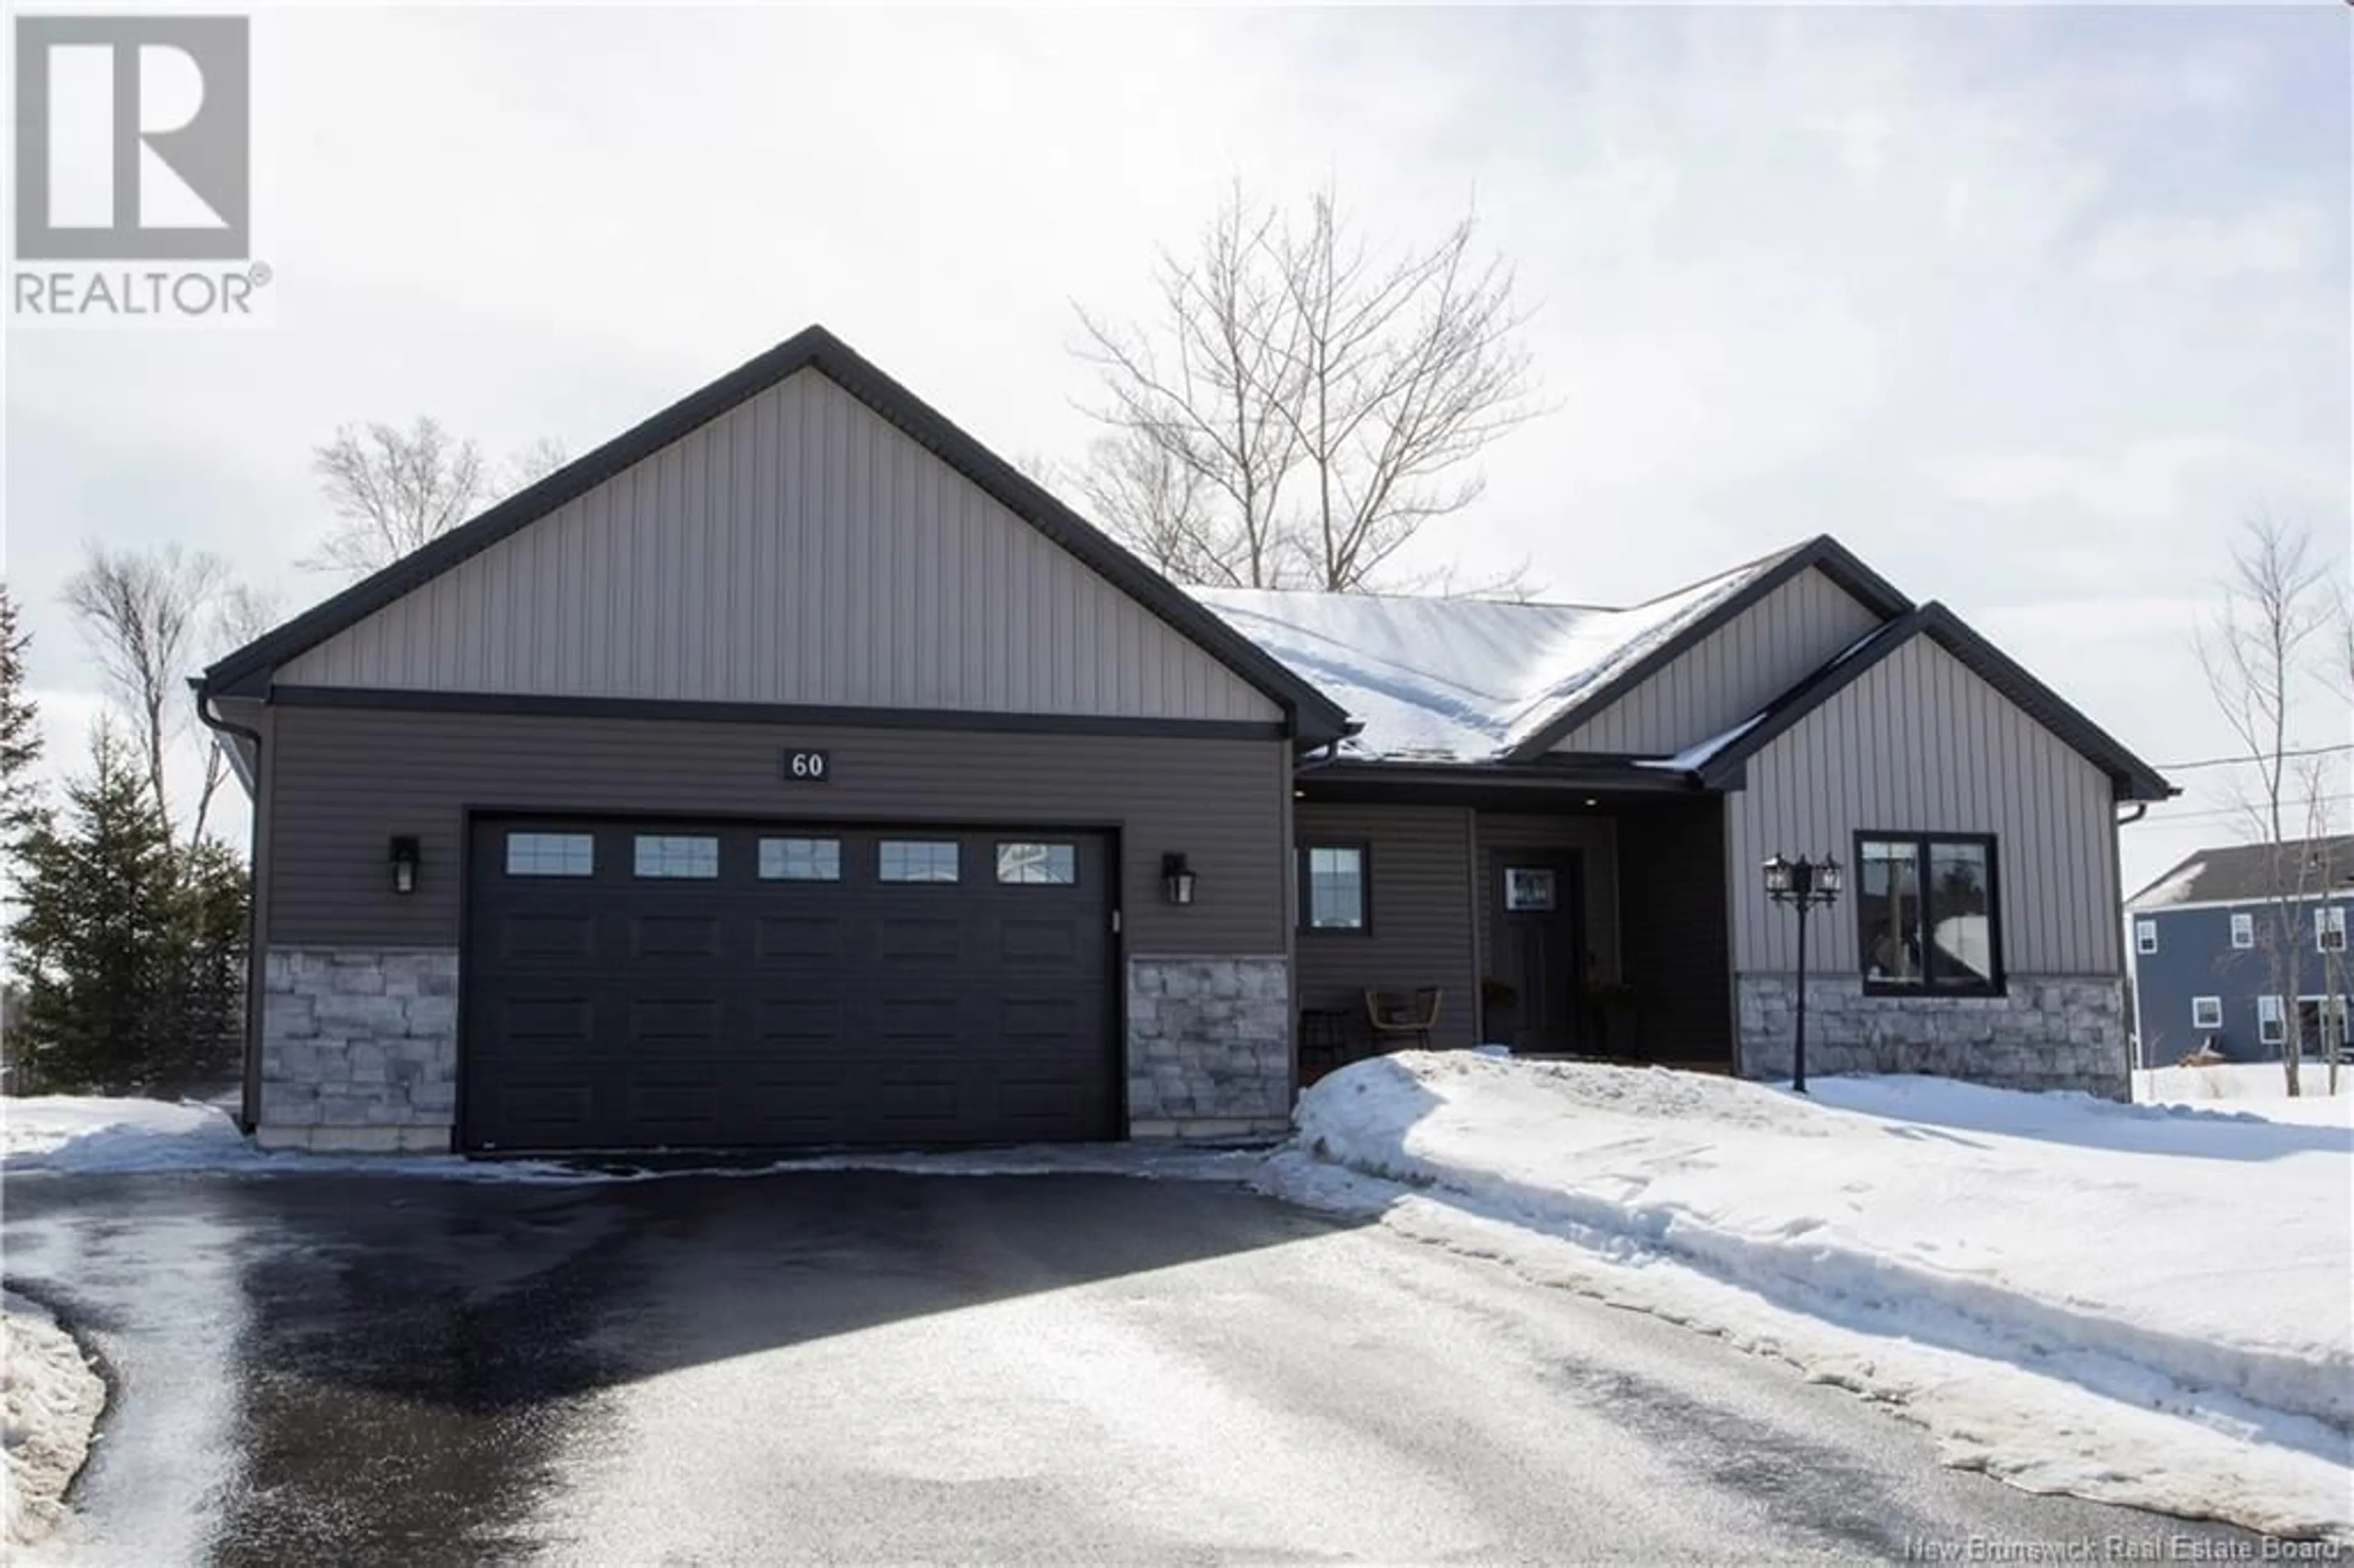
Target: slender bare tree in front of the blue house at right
2259	658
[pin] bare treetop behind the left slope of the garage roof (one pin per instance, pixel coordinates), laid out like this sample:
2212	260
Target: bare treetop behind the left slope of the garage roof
397	491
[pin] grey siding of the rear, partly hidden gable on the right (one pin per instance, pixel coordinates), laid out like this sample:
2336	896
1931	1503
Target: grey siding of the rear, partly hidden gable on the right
1734	672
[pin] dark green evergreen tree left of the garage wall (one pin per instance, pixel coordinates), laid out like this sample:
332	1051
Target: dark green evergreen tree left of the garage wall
100	934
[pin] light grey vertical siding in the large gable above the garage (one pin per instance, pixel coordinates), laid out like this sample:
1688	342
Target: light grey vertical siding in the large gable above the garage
799	550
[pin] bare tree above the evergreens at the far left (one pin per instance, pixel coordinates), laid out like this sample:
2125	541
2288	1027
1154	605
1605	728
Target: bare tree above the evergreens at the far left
147	620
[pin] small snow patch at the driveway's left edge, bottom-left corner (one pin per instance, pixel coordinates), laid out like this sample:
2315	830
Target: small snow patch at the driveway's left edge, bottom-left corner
48	1404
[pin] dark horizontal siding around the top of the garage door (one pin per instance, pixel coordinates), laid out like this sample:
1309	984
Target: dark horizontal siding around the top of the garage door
343	783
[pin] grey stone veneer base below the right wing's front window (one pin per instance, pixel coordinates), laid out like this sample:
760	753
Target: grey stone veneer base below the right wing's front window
2047	1032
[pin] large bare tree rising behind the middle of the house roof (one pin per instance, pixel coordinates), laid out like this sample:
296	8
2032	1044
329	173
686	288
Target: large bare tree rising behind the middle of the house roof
1301	406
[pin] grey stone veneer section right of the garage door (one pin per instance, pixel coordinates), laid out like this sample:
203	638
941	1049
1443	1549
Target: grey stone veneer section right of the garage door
1209	1047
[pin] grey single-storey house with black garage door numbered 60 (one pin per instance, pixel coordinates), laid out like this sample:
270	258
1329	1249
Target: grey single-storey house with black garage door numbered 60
794	771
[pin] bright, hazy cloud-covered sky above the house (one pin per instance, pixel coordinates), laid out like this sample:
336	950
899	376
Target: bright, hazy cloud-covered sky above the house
2030	307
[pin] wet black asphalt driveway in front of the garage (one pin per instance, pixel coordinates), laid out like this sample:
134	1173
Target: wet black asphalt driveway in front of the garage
860	1367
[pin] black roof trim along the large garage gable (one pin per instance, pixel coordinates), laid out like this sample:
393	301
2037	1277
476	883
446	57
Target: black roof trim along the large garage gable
1315	717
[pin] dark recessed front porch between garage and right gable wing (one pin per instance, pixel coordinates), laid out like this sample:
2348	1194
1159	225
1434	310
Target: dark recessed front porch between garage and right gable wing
1560	912
